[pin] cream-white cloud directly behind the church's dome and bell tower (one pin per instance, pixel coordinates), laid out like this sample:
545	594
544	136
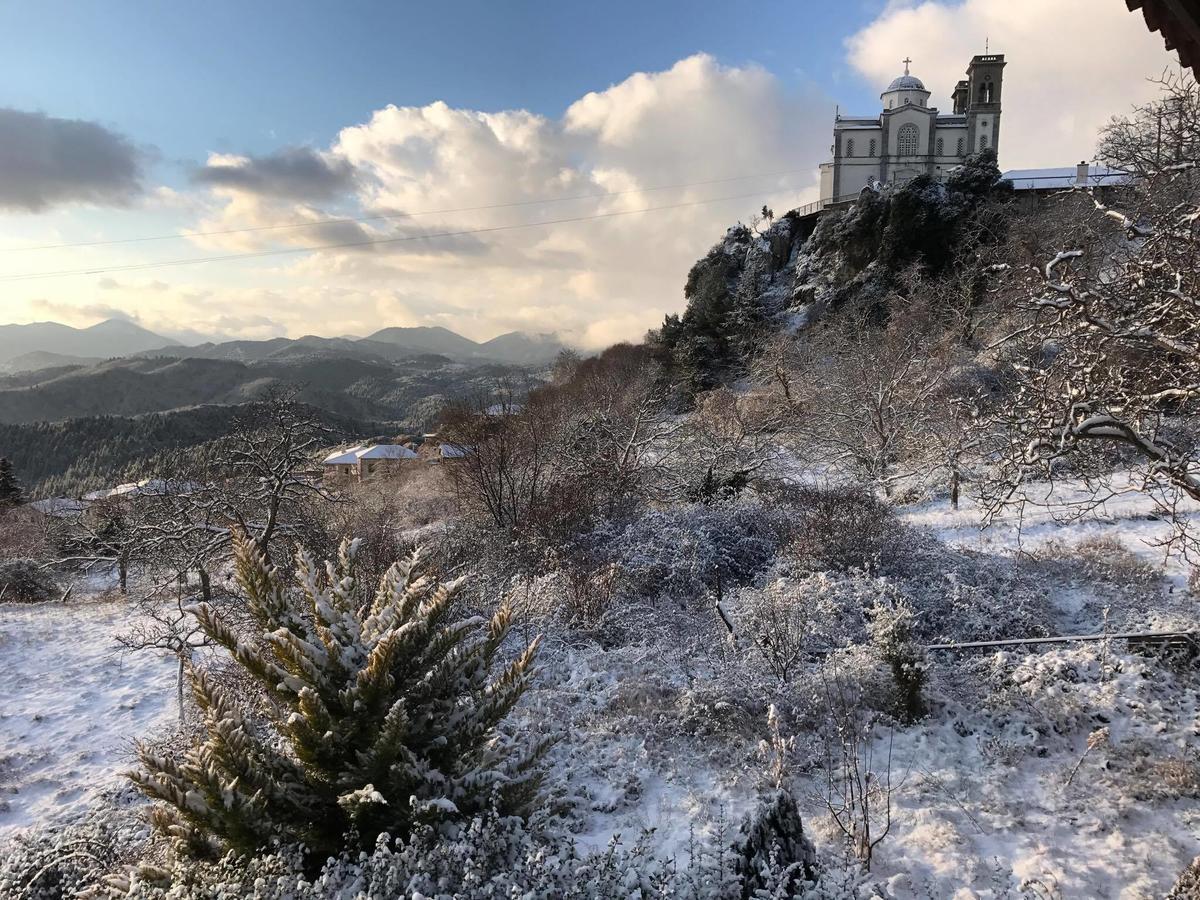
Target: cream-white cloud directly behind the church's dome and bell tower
1072	64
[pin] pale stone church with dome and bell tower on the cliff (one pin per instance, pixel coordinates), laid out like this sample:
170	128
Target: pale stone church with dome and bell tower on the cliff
910	137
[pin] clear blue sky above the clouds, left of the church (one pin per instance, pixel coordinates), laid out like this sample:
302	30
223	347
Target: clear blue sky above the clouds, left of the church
245	77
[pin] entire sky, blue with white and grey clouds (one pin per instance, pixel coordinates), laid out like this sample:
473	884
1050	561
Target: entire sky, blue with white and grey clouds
526	166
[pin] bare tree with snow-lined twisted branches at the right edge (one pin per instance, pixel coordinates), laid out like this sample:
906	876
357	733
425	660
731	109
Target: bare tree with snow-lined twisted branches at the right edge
1105	369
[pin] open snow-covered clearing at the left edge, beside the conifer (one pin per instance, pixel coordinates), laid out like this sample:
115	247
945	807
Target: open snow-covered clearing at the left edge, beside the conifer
71	703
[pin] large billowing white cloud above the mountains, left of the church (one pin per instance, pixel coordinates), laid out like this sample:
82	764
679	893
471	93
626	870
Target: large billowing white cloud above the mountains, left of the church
596	281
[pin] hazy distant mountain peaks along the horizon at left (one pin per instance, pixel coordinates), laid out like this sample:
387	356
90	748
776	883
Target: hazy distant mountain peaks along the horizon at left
51	345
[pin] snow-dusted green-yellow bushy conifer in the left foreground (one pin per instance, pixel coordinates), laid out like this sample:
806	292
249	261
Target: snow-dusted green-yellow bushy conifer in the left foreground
383	715
